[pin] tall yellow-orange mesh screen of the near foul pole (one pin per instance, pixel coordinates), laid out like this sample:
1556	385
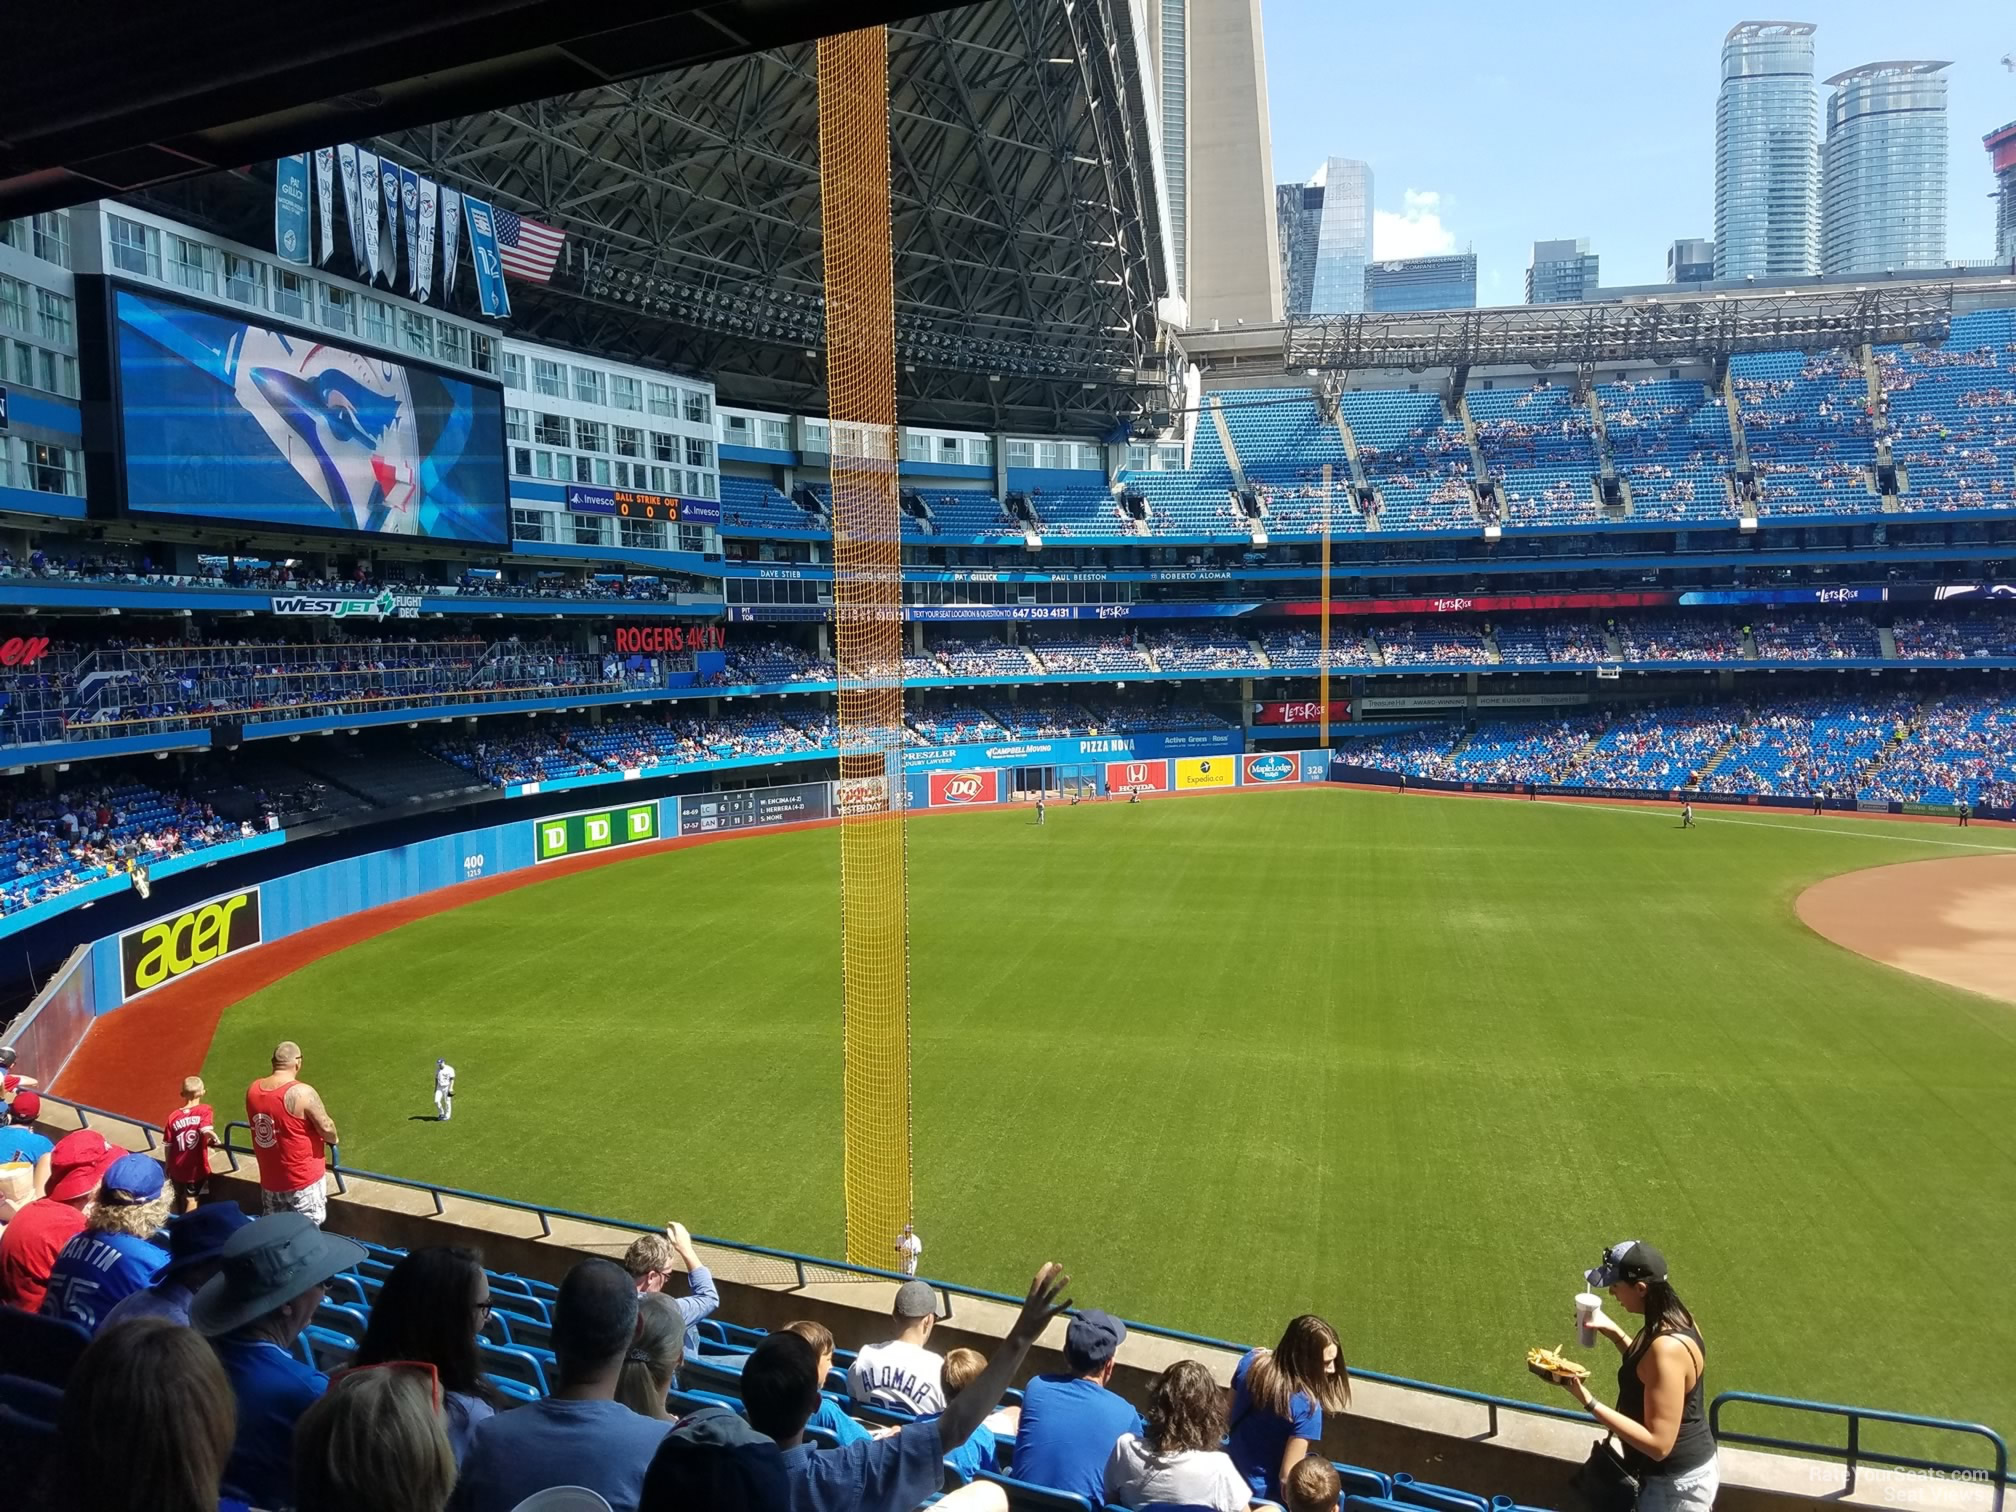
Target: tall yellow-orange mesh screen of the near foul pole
868	610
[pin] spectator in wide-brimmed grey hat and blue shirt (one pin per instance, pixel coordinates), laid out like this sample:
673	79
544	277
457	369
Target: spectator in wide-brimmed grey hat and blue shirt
271	1279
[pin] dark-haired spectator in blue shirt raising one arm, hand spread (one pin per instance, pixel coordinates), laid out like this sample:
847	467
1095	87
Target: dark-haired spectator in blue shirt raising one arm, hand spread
900	1471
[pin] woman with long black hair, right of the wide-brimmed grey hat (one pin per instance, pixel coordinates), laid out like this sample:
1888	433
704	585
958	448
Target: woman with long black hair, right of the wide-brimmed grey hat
432	1307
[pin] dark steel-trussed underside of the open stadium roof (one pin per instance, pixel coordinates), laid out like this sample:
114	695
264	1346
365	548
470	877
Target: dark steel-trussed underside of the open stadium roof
1031	231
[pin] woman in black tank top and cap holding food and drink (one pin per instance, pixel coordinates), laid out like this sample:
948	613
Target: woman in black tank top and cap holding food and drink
1660	1420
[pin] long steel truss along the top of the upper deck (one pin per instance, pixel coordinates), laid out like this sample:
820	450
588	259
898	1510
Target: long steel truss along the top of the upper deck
1682	328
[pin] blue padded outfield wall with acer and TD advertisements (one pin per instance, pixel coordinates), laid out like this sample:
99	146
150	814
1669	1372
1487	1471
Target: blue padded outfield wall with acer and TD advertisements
118	969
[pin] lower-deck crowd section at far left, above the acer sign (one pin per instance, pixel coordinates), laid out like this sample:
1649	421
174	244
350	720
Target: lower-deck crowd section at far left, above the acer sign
53	844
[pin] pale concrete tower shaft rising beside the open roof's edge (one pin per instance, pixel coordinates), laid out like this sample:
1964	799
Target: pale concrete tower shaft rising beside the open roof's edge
1219	160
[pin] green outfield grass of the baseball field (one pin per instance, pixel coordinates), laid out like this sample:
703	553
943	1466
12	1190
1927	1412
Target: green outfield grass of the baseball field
1408	1063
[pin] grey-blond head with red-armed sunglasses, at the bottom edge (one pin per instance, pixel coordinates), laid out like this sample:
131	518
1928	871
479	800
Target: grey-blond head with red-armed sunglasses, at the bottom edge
376	1442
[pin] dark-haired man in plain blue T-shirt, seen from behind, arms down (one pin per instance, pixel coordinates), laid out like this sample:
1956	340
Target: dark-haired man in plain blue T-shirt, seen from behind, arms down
582	1434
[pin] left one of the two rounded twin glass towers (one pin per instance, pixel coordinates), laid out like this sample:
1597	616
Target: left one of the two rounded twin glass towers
1767	154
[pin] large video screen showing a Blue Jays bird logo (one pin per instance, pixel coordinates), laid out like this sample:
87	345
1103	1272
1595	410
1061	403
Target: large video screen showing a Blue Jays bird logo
243	422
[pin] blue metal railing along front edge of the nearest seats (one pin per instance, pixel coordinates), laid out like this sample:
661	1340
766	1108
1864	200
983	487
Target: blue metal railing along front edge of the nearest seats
805	1271
